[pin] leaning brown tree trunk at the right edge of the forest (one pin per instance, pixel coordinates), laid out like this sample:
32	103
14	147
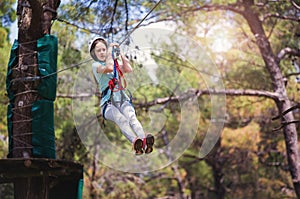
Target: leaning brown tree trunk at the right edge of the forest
283	102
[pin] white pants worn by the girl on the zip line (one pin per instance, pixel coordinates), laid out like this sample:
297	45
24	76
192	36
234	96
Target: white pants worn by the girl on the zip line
124	116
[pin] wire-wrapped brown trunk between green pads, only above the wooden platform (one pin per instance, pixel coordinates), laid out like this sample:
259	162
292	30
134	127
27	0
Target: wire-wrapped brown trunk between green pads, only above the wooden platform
25	93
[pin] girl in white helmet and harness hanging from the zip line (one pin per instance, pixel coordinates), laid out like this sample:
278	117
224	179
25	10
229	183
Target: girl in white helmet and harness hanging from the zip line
115	104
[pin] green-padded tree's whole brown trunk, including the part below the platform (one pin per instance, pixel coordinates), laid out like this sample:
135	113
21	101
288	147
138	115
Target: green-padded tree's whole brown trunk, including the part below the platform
34	21
